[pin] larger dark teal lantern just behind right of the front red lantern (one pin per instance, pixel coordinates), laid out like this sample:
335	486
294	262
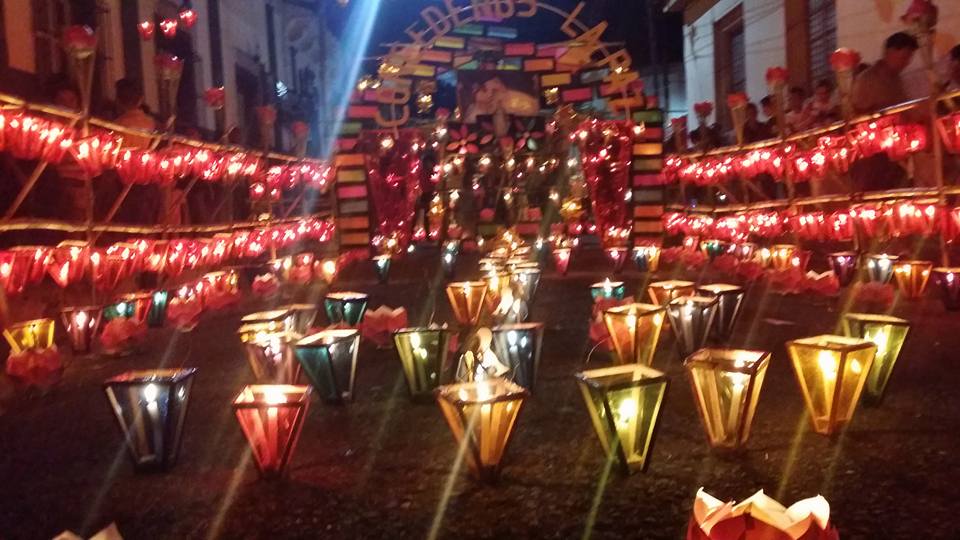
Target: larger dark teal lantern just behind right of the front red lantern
329	359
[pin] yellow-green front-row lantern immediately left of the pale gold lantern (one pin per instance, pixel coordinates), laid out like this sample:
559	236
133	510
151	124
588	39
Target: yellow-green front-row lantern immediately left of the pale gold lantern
624	404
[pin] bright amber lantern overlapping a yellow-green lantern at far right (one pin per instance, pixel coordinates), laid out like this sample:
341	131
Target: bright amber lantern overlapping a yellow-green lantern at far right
831	371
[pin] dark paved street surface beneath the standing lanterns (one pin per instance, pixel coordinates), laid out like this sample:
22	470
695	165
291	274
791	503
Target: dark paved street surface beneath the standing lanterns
381	467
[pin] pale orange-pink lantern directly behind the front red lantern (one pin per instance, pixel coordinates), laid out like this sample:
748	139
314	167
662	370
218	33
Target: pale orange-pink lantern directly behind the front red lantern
270	353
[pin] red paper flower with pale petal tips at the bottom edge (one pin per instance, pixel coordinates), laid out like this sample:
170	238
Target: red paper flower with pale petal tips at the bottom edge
760	517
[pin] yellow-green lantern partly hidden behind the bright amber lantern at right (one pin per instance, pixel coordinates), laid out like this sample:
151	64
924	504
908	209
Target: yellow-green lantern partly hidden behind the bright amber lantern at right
888	334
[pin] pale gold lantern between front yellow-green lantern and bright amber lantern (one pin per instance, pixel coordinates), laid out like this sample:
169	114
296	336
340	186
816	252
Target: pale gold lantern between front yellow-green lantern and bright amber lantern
726	384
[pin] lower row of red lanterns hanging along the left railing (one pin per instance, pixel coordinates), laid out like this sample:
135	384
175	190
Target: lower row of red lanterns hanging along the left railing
71	262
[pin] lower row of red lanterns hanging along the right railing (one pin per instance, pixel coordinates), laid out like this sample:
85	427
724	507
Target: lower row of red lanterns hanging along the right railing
895	219
